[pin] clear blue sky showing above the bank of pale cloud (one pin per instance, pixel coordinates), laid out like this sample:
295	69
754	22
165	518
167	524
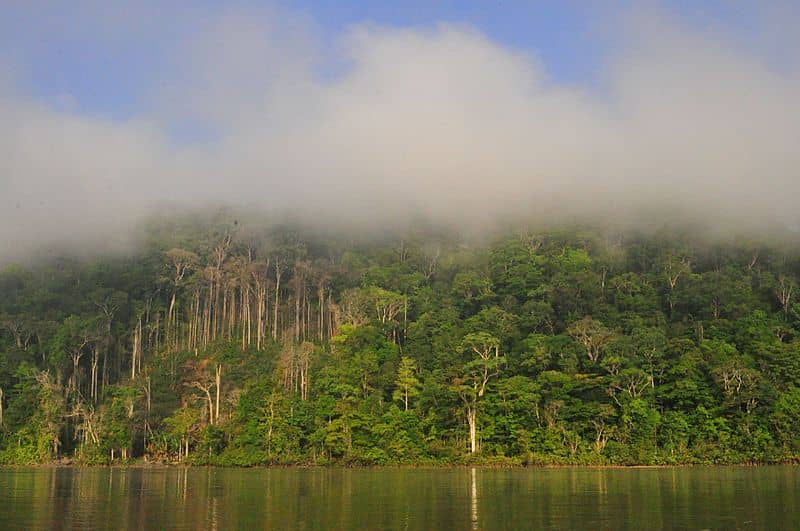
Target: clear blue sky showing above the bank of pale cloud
107	57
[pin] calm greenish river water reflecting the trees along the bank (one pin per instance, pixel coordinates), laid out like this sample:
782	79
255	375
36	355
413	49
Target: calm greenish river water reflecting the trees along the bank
213	498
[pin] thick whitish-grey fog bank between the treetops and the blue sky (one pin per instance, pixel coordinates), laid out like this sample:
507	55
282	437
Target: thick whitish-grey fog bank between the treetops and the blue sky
390	123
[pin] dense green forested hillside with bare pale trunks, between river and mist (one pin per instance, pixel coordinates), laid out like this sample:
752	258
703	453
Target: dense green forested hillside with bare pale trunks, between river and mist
230	342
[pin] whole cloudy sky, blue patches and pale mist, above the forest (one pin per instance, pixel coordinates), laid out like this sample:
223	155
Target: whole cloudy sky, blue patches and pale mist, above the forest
361	110
